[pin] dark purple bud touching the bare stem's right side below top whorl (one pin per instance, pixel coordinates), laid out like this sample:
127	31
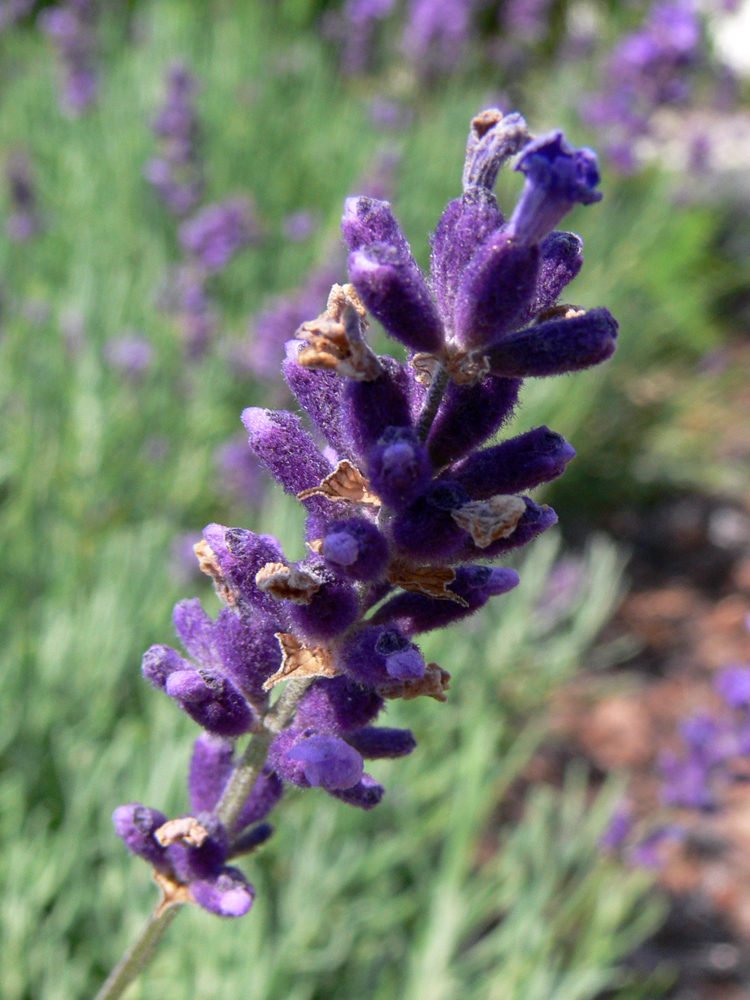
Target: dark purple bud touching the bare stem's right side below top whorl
468	415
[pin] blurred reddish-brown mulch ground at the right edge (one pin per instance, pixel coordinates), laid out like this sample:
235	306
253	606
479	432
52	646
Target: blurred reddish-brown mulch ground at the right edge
687	611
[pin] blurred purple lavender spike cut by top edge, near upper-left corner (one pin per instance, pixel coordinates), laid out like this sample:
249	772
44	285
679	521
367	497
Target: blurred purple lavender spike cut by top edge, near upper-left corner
71	26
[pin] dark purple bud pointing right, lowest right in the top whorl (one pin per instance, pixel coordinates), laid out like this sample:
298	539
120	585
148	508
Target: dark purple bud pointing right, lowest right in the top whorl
557	346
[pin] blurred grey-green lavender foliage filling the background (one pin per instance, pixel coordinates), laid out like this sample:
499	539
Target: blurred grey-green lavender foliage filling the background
107	475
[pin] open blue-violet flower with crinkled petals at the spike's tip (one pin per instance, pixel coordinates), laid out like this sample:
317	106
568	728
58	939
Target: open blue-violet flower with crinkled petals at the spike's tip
557	178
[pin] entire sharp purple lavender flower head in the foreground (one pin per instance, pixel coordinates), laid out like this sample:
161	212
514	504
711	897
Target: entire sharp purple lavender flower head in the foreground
405	507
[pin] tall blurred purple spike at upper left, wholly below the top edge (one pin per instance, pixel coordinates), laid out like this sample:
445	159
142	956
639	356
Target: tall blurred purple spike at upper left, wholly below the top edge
177	173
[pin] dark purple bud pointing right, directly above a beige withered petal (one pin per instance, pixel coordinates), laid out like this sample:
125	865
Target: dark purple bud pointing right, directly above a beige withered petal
520	463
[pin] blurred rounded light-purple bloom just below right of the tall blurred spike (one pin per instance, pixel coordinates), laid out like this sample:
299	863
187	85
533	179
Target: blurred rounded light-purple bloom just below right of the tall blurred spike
215	234
